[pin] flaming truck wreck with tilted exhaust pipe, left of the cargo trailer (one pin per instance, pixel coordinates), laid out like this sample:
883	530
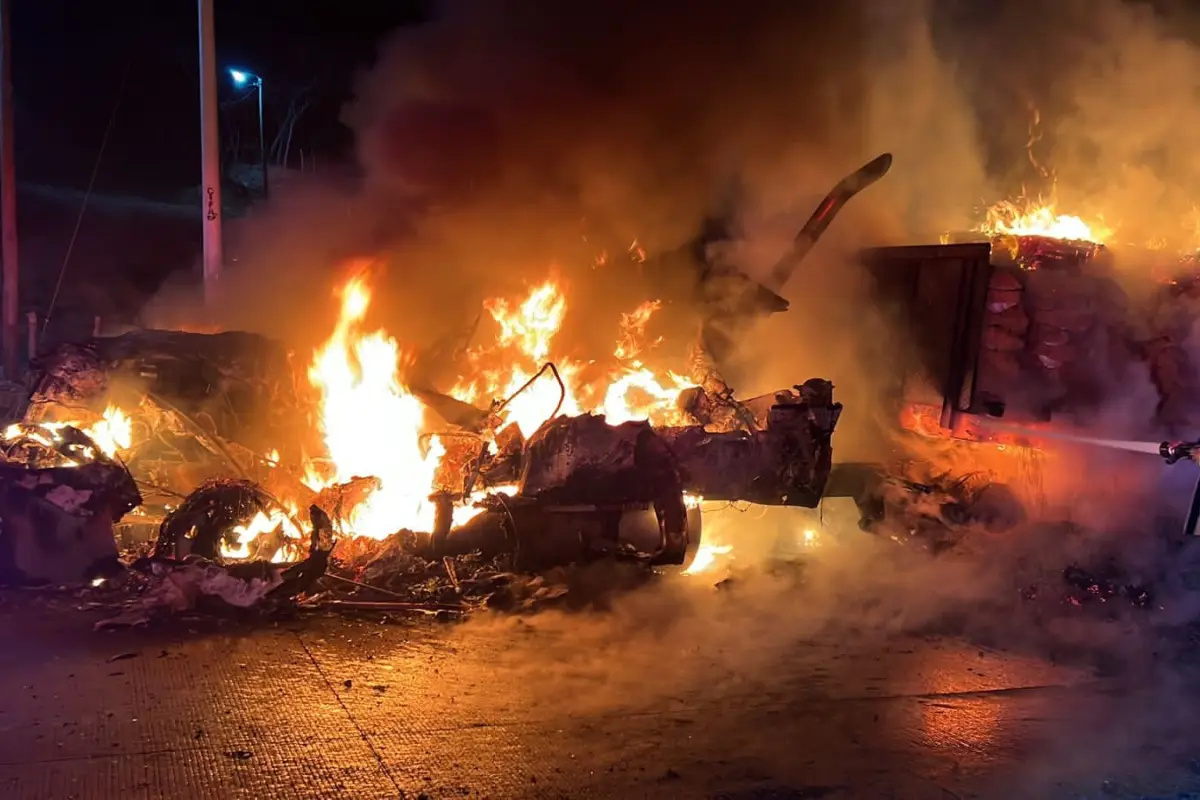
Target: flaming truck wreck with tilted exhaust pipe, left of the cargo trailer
223	441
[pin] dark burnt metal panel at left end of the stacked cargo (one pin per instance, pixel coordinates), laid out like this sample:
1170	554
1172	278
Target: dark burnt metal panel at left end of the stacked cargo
937	296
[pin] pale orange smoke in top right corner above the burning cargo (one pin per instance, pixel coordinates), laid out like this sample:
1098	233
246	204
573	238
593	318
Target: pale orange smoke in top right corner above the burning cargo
1105	97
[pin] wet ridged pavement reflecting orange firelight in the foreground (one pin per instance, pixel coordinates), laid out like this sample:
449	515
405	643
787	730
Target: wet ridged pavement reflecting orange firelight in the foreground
621	705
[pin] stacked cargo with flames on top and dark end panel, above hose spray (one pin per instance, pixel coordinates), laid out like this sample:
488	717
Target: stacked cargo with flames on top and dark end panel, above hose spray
1036	324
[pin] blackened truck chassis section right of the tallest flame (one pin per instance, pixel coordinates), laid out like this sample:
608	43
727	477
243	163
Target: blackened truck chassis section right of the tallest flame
633	488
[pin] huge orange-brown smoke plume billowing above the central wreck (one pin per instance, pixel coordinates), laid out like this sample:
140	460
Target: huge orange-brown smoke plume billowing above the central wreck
500	141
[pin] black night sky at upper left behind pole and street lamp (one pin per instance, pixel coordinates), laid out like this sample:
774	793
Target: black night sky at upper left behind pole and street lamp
71	57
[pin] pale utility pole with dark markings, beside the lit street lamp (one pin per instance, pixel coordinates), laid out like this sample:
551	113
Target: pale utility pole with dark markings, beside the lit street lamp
211	155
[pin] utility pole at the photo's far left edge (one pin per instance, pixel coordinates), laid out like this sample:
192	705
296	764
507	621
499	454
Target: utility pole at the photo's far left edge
10	327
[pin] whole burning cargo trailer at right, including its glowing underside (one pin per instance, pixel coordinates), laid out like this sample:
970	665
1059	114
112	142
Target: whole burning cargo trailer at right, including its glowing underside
1019	347
